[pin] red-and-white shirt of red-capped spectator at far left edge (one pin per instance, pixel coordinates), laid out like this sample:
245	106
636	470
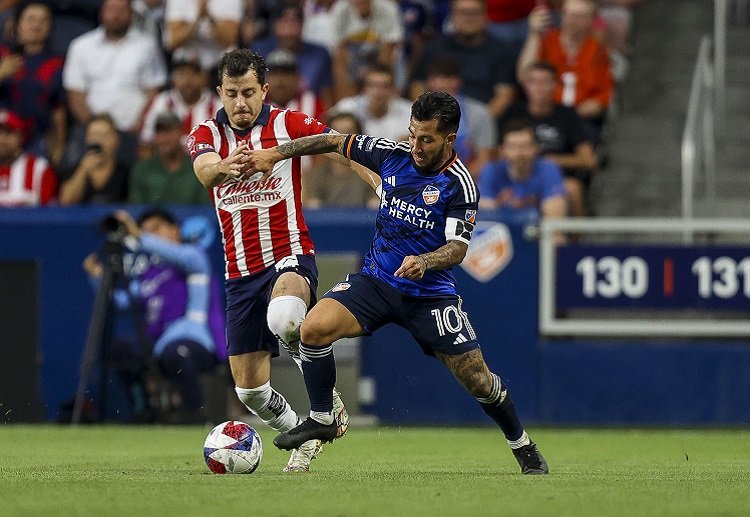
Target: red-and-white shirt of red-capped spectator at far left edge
28	181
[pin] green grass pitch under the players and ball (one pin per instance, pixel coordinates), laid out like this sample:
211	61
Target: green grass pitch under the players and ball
132	471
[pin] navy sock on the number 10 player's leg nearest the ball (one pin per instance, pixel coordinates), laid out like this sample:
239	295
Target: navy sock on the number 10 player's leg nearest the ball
319	369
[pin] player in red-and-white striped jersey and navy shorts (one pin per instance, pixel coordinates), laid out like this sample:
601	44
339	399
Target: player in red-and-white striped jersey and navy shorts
270	259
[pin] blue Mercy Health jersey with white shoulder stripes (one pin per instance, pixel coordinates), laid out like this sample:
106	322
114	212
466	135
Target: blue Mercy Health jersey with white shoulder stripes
419	212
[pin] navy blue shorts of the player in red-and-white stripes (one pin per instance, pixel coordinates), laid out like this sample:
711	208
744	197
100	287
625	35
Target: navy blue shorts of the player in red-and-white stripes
247	305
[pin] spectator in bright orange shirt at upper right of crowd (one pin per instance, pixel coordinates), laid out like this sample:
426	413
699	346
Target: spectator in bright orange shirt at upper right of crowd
581	60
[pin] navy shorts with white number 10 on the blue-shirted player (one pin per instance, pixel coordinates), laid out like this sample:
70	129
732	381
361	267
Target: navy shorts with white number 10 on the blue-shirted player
437	323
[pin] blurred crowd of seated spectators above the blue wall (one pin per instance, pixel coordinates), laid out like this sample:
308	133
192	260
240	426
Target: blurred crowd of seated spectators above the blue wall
97	96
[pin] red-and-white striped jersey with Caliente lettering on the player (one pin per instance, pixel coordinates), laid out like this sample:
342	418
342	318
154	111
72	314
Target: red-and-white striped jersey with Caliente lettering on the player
261	222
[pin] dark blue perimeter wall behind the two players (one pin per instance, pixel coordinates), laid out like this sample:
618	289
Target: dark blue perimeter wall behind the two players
678	382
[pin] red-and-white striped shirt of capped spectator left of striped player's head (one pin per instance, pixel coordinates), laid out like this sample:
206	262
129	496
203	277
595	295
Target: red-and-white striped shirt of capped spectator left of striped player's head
171	101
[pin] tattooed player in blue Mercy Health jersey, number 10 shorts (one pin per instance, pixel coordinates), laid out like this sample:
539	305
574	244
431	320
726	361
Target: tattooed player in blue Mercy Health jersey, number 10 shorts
425	221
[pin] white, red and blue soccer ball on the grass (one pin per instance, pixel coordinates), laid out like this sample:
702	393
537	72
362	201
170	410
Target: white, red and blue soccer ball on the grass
233	447
